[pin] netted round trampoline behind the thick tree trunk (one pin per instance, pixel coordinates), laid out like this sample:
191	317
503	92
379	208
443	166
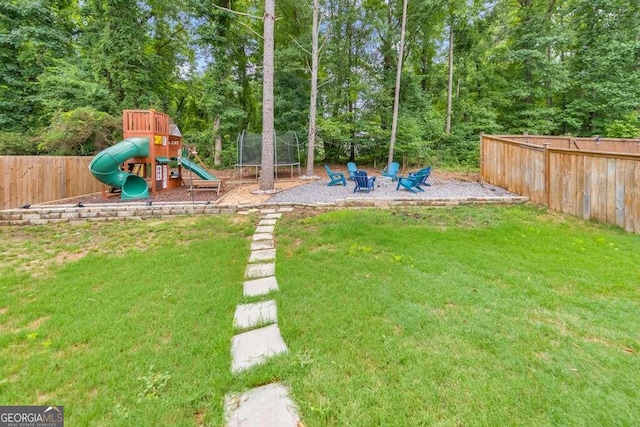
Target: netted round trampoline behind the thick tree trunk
286	152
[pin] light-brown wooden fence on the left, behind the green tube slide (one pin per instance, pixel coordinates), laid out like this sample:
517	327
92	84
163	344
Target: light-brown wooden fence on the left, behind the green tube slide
39	179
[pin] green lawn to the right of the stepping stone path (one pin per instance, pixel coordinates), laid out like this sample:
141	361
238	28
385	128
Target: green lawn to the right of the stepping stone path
465	316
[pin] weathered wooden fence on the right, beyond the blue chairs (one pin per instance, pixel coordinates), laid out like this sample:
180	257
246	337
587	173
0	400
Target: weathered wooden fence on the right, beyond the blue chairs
590	178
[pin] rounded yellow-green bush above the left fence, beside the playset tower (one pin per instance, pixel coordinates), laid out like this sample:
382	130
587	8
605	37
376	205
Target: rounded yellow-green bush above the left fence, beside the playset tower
80	132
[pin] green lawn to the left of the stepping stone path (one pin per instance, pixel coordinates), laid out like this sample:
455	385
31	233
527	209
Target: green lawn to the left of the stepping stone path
124	323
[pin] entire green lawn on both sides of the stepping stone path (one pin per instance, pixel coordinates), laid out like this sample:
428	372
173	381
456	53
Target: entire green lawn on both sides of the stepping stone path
466	316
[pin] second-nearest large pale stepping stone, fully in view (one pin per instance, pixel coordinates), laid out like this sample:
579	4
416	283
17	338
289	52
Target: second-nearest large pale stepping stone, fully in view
255	347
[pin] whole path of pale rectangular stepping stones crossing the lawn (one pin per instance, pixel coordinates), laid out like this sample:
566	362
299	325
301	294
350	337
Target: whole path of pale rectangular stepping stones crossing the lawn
260	338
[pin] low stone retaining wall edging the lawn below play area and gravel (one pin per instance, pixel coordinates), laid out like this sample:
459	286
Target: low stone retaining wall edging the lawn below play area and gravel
37	215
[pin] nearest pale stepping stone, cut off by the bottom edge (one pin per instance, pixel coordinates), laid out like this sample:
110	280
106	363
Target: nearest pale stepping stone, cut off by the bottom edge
265	406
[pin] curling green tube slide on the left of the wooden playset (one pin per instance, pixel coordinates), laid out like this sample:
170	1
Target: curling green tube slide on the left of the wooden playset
105	167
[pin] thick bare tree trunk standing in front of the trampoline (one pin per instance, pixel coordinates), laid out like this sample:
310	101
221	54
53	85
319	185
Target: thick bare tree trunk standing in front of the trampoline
266	177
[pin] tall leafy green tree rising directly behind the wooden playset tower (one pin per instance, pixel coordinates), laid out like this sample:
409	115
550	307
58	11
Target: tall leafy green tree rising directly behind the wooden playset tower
135	50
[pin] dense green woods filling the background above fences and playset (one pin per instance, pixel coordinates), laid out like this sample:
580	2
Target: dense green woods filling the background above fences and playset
68	68
